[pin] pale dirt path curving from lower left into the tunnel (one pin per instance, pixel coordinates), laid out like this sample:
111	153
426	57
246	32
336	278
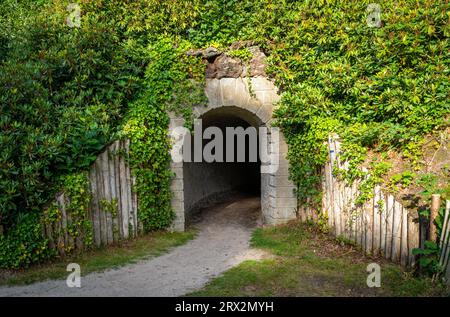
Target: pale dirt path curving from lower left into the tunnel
222	242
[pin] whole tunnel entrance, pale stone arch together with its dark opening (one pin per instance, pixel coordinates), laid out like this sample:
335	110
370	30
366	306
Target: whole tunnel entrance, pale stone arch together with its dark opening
196	183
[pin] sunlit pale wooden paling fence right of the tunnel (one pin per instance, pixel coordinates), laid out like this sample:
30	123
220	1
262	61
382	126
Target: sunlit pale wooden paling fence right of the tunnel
382	226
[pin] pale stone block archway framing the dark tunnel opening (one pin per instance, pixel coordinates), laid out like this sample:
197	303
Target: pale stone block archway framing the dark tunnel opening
232	96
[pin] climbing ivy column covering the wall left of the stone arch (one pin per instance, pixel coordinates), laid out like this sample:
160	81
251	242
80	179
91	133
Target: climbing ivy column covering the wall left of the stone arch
174	82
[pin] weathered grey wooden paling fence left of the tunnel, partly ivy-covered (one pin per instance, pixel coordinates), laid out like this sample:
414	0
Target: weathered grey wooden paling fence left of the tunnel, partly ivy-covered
113	207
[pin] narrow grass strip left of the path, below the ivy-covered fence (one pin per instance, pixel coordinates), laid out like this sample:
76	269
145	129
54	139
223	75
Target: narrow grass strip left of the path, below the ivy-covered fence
129	251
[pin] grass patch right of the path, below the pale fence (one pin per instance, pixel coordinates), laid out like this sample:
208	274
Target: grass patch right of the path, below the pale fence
307	262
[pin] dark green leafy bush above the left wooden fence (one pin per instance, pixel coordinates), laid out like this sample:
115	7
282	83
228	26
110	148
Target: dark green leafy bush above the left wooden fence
62	92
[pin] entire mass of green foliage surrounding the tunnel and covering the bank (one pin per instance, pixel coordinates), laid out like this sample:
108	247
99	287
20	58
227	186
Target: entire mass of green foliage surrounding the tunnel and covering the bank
65	93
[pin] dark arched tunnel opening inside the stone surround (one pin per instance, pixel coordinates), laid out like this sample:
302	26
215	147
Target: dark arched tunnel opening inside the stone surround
237	175
